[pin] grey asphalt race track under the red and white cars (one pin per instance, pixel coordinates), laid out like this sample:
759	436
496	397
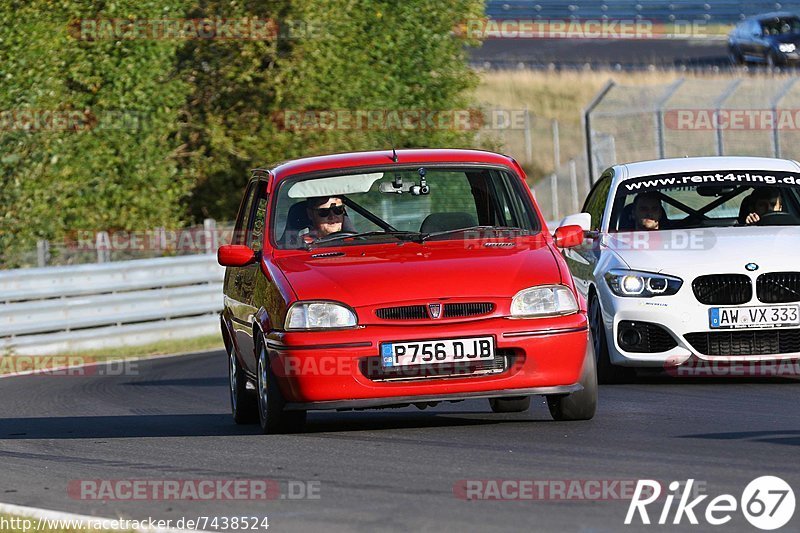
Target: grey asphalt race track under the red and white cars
386	470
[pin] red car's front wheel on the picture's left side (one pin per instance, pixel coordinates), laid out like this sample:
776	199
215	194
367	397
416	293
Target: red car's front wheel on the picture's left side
271	413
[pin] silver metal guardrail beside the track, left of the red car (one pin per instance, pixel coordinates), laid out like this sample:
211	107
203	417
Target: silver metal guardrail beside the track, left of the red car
62	309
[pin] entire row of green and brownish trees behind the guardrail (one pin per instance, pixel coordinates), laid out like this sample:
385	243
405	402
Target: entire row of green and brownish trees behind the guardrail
125	115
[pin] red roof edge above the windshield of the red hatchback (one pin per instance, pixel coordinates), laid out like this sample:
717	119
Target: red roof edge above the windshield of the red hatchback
384	157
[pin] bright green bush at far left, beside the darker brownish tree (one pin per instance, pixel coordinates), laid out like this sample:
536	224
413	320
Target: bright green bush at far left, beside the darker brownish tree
114	167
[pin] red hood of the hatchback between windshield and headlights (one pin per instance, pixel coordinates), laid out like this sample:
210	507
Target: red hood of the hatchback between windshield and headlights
377	274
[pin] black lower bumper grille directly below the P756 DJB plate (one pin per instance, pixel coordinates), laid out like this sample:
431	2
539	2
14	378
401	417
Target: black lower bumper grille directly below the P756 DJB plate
371	368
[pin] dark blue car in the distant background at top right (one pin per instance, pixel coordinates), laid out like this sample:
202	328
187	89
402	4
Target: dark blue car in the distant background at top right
772	39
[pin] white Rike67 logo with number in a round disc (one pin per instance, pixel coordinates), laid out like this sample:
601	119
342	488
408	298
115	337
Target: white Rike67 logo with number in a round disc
767	503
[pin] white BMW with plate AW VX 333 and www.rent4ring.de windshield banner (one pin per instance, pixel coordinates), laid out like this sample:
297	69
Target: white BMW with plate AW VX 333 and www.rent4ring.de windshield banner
694	259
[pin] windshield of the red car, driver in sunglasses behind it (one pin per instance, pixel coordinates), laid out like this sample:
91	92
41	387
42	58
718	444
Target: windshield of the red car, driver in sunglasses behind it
421	202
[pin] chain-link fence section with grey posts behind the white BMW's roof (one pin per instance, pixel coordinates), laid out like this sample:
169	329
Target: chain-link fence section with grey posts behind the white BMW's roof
757	116
